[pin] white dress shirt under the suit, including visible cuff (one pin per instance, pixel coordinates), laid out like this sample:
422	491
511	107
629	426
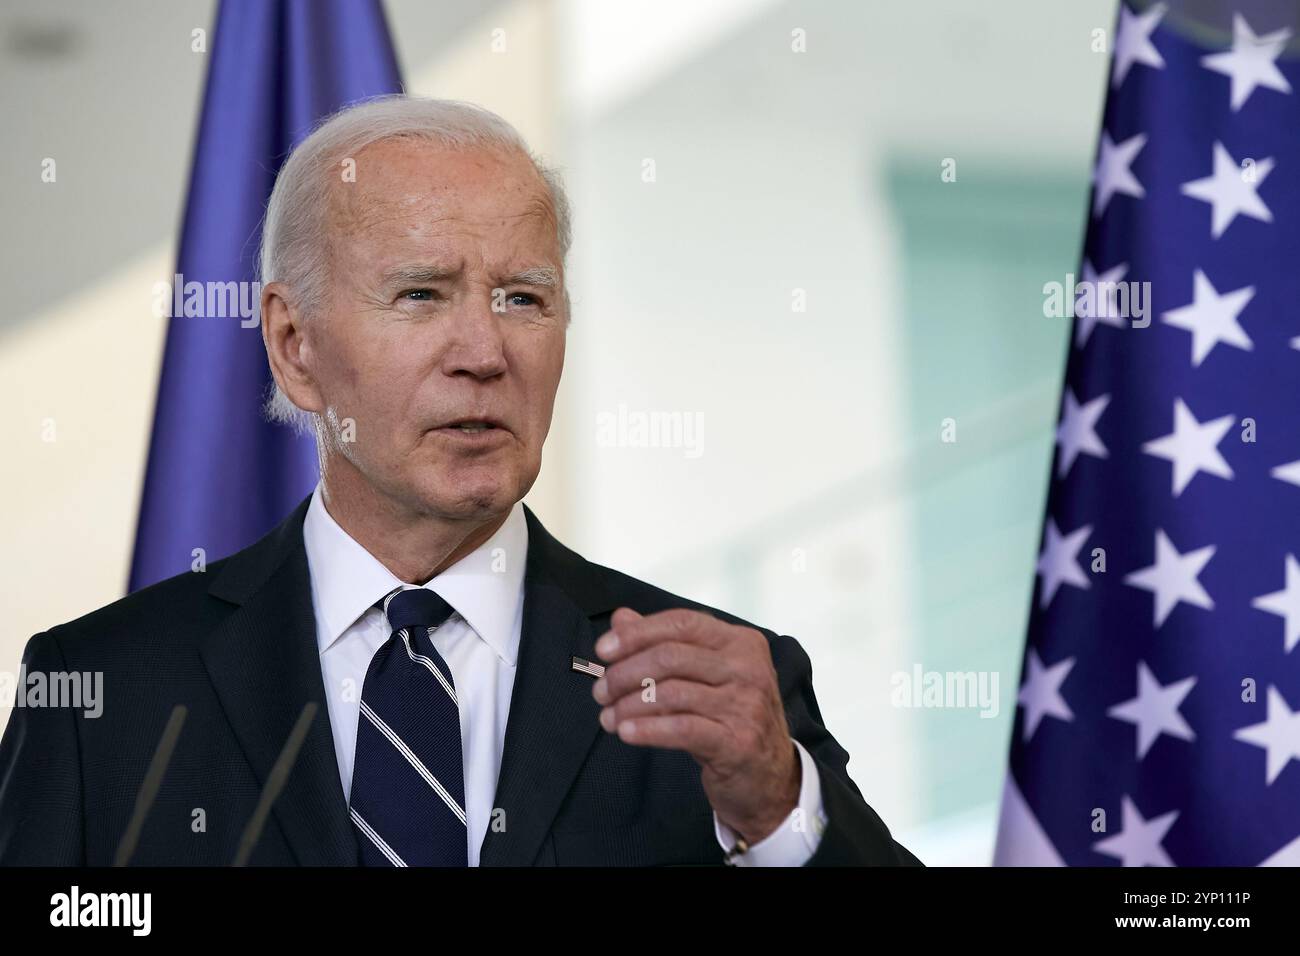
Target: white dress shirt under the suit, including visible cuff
480	644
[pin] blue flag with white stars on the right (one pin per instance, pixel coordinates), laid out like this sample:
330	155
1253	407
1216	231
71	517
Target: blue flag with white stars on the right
1159	707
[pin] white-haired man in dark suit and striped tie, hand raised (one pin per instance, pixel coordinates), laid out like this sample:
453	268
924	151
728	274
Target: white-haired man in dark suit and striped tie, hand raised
408	671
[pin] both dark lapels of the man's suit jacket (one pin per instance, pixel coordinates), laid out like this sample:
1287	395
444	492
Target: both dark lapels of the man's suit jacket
265	665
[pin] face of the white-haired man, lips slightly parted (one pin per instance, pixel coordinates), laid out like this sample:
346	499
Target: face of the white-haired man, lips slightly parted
445	308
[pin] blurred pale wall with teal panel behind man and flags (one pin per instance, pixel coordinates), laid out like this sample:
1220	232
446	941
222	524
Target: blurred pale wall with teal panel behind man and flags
768	253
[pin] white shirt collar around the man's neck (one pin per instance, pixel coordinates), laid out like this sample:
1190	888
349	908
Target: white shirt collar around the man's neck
486	587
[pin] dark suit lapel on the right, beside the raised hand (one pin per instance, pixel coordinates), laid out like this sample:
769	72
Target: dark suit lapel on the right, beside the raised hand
553	717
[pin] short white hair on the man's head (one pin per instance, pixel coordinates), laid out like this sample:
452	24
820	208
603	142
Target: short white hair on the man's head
294	236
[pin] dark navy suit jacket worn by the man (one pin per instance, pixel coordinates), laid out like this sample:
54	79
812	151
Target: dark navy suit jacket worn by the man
237	647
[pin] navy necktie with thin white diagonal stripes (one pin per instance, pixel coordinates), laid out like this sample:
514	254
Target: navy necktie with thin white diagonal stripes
409	786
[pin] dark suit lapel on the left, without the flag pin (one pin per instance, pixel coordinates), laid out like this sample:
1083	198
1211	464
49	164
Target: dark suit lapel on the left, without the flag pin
265	665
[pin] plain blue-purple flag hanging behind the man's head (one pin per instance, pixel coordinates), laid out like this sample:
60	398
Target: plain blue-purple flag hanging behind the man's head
219	475
